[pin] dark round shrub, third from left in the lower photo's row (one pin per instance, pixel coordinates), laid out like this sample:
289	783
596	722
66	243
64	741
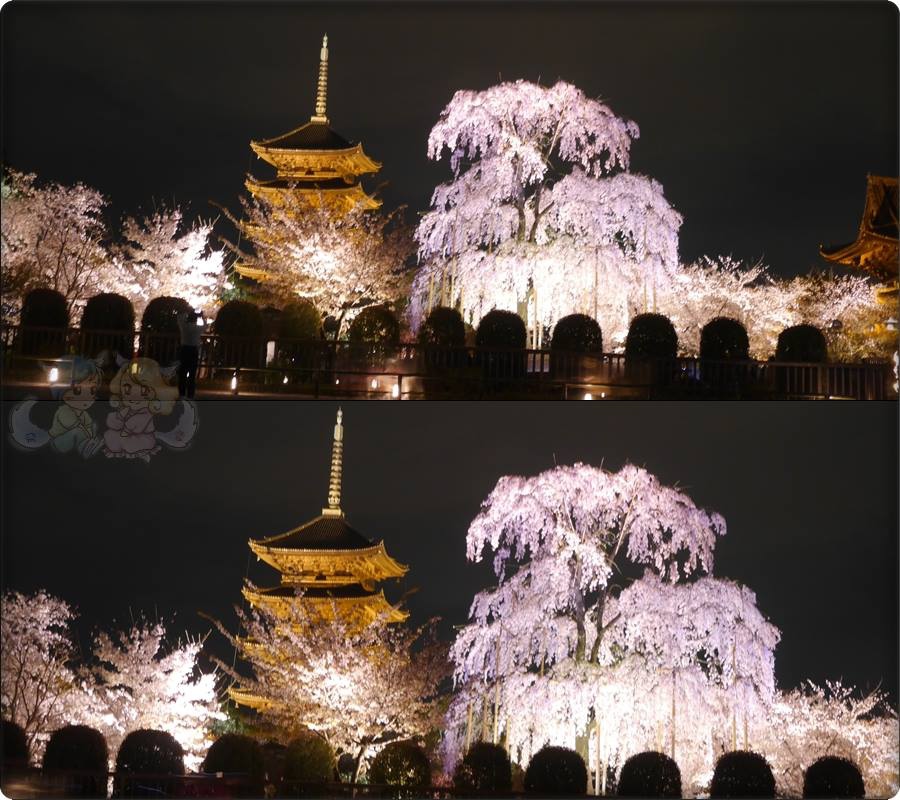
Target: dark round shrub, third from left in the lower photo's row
147	751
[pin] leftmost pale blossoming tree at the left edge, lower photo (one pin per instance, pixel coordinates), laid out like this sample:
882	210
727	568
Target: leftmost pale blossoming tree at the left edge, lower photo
37	674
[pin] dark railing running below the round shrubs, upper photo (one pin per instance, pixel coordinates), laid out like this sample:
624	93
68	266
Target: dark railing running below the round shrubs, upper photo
249	365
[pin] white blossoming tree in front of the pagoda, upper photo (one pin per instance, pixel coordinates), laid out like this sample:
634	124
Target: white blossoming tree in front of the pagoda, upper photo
340	261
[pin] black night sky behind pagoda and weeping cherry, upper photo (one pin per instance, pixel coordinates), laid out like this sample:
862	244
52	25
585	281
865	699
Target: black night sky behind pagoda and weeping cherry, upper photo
761	121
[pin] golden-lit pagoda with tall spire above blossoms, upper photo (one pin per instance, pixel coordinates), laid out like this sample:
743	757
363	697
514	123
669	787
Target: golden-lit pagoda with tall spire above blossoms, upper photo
313	164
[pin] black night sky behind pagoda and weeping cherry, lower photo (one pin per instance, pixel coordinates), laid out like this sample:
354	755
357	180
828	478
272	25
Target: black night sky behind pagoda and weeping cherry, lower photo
809	492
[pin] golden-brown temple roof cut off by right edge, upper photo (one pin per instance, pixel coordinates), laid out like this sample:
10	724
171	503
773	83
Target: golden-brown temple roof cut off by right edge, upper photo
875	249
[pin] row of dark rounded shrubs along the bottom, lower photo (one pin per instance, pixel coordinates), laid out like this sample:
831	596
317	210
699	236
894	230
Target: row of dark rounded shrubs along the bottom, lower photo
484	770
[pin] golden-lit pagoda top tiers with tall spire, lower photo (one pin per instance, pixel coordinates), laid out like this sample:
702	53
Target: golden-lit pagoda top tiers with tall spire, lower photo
325	564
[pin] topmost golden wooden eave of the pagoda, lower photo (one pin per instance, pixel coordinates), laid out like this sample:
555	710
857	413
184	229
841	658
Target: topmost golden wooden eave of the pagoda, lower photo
371	563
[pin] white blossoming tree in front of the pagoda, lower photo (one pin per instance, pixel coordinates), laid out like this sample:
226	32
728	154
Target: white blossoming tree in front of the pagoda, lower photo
359	687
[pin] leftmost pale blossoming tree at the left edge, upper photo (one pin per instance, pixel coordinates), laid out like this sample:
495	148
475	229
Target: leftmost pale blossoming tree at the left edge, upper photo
53	236
